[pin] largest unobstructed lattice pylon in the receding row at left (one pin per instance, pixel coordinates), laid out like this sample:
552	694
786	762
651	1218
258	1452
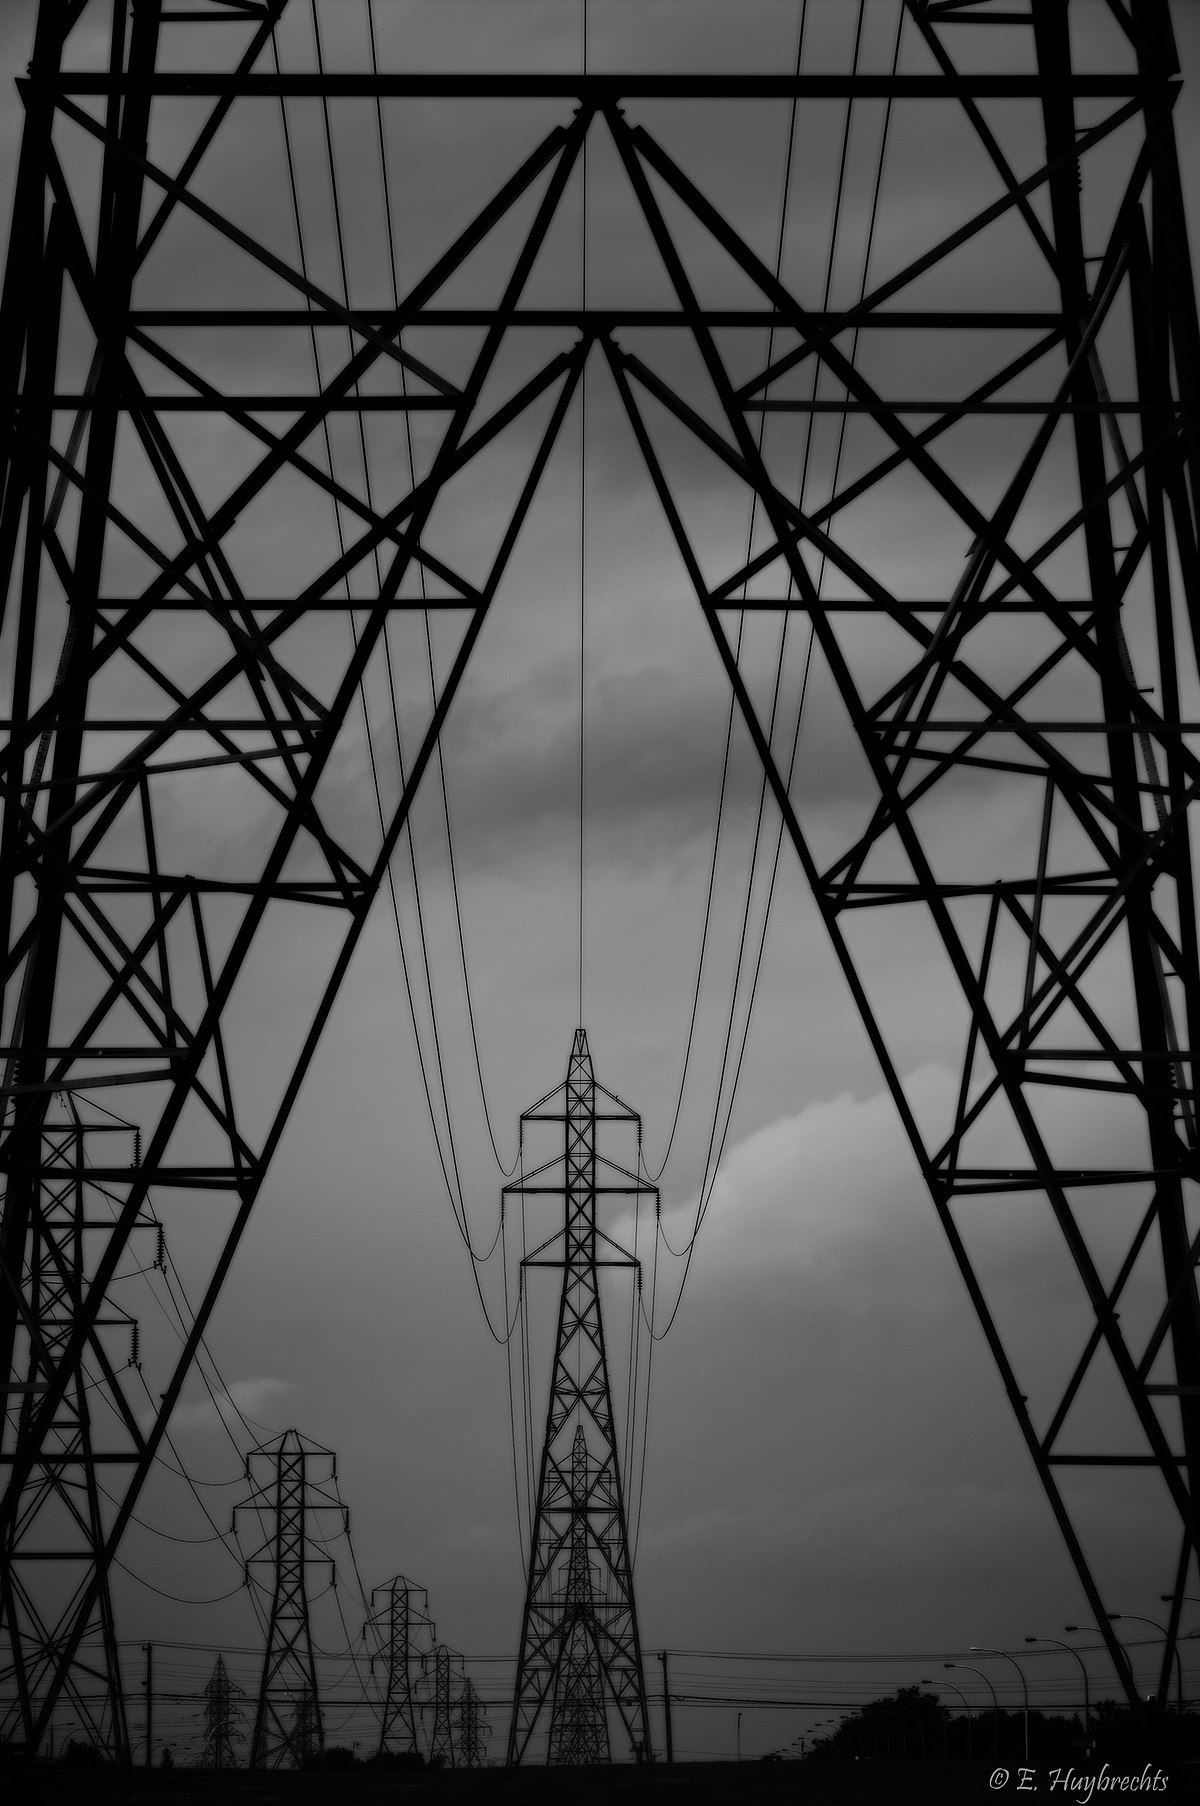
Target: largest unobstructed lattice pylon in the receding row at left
295	1487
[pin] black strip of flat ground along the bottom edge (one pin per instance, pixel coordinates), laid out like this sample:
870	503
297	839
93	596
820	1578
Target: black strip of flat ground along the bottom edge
867	1783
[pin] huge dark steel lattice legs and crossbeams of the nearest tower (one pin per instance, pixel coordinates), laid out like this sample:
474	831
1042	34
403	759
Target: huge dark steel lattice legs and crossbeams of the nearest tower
1044	653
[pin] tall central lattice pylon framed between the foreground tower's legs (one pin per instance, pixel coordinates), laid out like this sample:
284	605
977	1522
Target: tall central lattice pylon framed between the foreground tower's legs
579	1634
